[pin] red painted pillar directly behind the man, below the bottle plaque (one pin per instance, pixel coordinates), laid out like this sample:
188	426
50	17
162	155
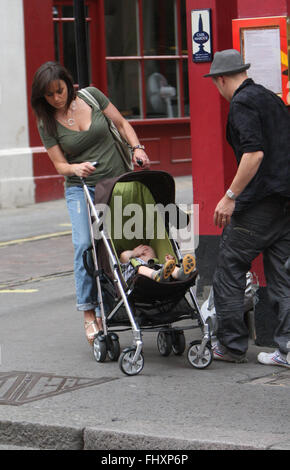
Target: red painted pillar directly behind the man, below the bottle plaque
212	161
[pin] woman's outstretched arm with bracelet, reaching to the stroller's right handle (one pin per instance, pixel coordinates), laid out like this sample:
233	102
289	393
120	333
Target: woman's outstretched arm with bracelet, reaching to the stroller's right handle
127	132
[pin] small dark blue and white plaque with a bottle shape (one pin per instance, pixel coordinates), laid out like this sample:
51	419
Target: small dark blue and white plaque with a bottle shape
201	35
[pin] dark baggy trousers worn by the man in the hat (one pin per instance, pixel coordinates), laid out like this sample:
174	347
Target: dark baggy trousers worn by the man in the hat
263	228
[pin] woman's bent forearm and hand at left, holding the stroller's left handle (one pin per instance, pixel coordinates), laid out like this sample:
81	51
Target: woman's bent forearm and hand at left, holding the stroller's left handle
67	169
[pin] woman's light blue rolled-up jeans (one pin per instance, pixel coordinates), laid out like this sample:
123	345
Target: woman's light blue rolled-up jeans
86	289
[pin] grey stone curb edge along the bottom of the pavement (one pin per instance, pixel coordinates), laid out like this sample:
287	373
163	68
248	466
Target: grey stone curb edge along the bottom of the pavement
35	436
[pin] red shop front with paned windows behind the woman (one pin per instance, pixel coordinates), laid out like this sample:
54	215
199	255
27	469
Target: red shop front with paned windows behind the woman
137	56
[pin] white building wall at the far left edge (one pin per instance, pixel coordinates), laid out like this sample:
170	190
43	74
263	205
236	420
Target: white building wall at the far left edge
16	171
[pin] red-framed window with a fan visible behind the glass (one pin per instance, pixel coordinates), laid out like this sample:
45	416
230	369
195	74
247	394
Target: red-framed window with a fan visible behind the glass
146	56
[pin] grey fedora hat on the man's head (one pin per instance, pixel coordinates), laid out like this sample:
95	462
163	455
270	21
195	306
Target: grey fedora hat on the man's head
227	62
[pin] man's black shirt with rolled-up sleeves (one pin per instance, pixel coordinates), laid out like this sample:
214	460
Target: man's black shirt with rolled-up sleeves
259	121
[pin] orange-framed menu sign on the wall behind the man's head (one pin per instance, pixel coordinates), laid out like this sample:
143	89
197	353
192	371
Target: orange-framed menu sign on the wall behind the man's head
263	43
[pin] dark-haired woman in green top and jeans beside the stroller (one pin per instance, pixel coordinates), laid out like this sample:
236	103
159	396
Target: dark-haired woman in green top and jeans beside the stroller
75	134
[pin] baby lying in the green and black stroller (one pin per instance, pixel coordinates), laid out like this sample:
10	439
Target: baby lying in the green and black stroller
143	259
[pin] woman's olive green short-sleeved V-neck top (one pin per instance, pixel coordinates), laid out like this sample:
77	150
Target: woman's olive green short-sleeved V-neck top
94	144
